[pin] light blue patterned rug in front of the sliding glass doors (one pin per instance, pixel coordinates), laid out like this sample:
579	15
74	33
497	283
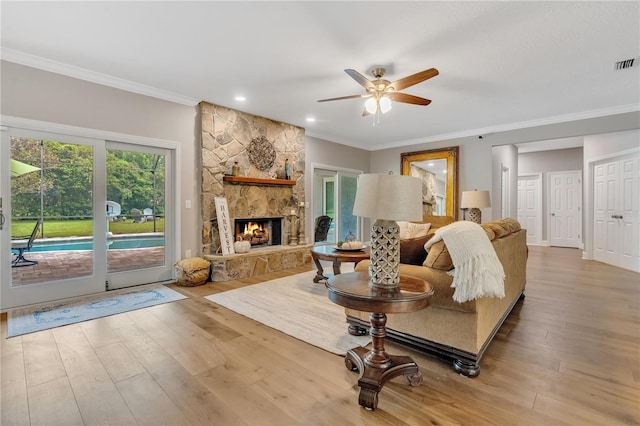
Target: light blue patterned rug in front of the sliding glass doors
55	314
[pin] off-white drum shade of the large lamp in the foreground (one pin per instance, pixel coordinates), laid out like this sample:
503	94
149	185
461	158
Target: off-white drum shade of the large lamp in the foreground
388	197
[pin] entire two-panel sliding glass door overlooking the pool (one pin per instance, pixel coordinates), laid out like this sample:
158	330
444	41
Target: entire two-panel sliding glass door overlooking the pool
70	225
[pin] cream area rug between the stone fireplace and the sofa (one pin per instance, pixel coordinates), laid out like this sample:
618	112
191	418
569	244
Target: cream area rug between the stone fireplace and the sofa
296	306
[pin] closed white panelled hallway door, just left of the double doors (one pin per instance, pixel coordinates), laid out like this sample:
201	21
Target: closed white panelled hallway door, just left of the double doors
565	209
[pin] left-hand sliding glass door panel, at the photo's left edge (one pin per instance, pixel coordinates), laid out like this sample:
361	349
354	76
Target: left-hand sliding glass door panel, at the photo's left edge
52	248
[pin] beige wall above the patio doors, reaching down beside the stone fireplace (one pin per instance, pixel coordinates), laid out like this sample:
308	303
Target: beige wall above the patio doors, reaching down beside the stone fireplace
44	96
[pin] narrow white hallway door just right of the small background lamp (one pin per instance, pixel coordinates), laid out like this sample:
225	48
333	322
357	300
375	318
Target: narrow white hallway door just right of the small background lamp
530	206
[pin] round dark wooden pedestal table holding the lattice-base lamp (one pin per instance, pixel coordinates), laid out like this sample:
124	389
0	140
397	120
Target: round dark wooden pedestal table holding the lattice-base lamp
354	290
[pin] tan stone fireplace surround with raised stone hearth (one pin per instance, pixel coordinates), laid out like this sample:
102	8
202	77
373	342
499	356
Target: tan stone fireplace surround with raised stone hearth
225	136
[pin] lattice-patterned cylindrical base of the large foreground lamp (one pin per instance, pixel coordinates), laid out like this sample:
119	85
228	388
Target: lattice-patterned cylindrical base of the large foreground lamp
384	269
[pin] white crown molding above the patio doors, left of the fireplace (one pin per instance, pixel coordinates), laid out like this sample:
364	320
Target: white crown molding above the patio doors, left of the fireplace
45	64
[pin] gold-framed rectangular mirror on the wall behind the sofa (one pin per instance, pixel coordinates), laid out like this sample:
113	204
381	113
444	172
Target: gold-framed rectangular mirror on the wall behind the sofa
438	170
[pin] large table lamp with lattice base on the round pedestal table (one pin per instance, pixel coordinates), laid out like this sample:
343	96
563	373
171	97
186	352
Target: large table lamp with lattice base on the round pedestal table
387	198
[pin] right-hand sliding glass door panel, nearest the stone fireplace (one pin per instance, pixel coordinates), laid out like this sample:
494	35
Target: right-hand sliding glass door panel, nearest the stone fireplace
137	215
